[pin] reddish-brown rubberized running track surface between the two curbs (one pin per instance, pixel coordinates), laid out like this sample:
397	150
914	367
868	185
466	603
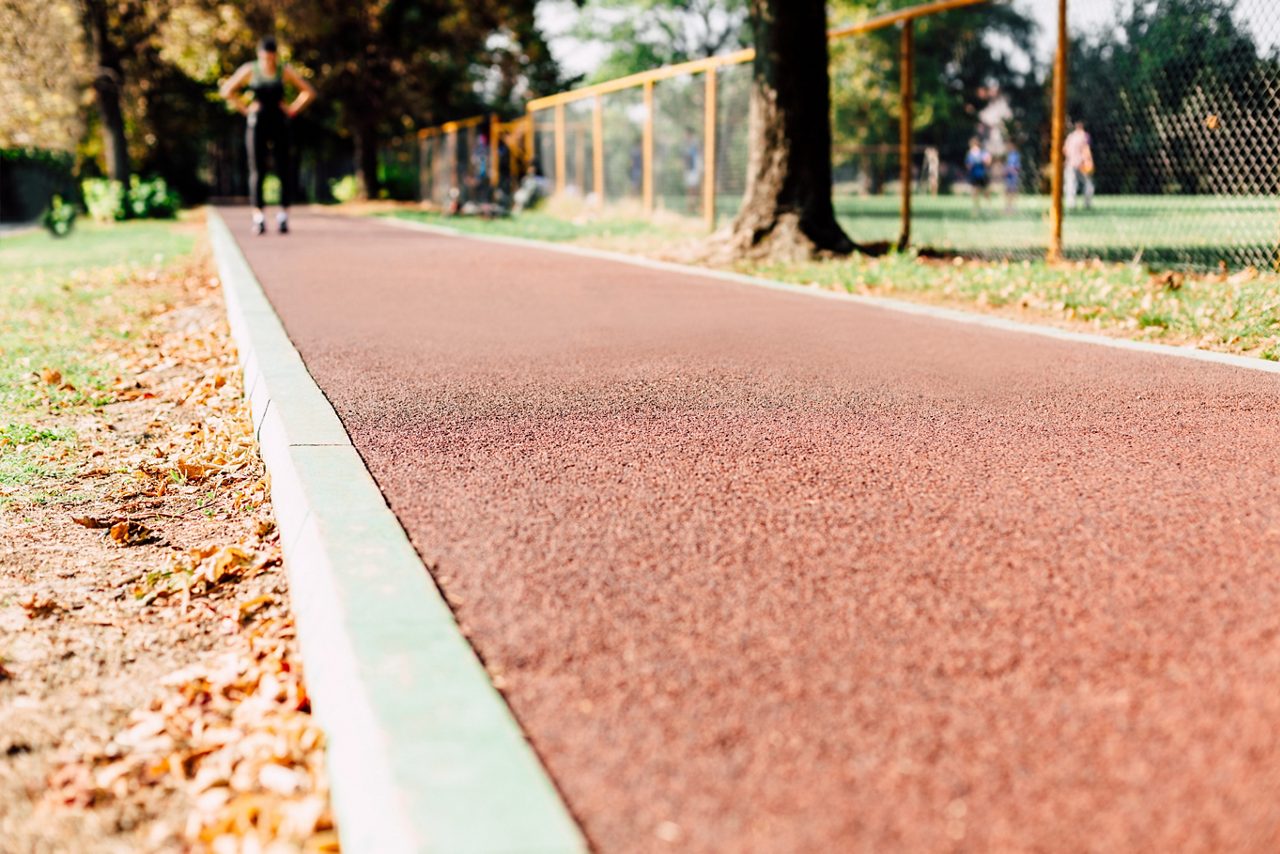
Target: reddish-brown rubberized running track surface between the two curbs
767	573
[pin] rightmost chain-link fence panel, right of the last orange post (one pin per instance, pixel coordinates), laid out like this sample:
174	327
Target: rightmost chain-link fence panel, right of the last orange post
1174	147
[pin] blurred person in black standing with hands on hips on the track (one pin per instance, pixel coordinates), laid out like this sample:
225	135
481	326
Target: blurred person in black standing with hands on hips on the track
268	125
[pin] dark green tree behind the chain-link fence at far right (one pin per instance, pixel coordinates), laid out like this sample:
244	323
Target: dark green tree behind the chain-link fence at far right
1191	101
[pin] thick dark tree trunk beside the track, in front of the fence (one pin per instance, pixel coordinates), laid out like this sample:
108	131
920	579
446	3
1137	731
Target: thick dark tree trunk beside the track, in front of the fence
788	211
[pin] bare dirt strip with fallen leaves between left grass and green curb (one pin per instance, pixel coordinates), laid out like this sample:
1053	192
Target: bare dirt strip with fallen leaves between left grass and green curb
152	695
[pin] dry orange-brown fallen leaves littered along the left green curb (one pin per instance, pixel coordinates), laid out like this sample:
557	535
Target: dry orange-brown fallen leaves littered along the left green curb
225	756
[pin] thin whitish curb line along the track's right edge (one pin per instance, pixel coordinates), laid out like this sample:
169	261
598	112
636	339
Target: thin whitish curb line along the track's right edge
889	304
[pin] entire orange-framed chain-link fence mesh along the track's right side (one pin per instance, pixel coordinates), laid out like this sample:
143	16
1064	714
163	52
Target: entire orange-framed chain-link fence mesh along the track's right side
1171	149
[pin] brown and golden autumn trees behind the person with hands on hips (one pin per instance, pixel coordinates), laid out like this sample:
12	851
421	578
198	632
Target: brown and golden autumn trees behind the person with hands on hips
150	71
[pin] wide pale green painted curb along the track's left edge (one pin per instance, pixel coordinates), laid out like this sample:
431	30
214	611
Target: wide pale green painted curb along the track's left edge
423	752
